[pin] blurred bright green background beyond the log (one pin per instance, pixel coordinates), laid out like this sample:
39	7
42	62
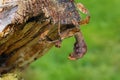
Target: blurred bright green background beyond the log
101	62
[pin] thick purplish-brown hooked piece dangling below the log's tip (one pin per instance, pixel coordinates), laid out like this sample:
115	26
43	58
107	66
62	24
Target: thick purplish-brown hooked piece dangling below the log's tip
80	47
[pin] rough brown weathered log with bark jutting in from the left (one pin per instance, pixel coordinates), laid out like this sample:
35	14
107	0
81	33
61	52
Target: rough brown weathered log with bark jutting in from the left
30	28
